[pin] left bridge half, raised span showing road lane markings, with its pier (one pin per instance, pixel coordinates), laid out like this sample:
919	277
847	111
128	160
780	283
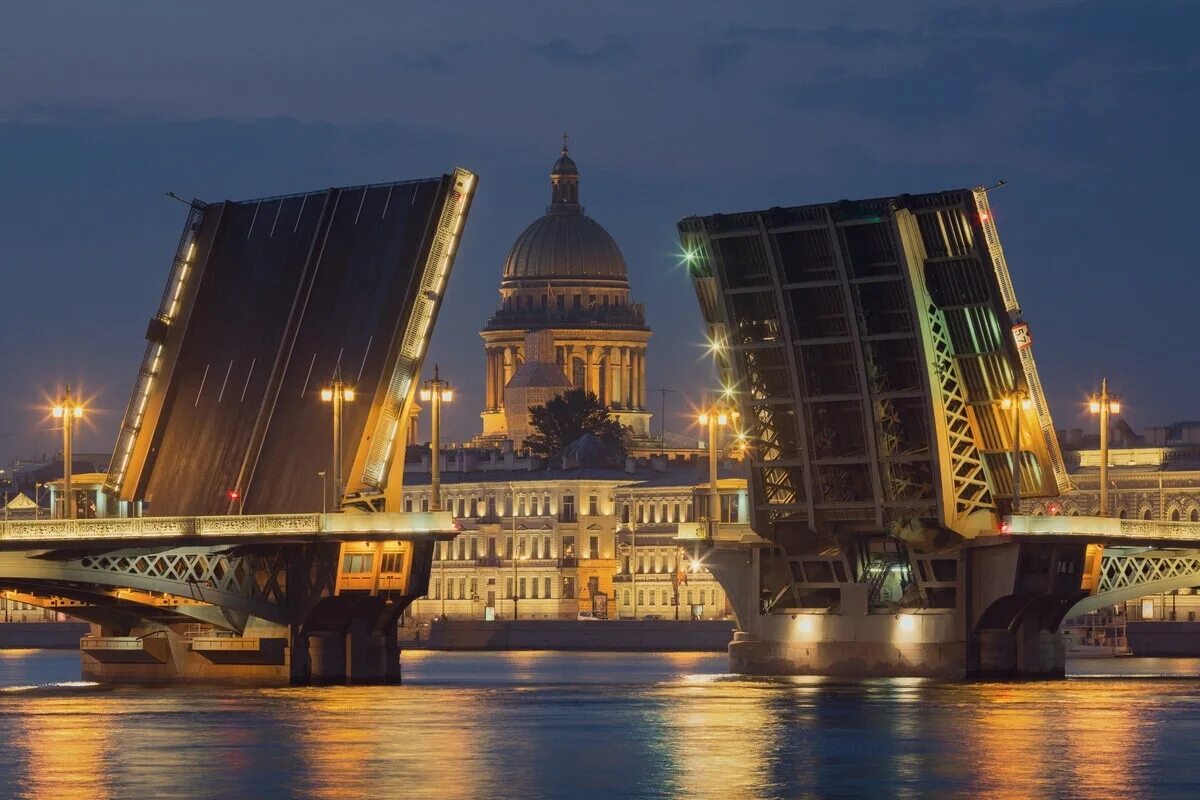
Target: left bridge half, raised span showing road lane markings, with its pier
244	551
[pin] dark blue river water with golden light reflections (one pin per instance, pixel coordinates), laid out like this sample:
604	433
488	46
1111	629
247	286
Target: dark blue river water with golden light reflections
554	725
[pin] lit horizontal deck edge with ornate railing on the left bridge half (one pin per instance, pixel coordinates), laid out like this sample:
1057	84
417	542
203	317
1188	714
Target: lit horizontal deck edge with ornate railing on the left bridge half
245	530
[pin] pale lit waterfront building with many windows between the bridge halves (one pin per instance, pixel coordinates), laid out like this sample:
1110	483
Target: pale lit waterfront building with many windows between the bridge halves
549	543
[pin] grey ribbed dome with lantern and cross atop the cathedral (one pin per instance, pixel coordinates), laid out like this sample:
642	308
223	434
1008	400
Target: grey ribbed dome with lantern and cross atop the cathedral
565	243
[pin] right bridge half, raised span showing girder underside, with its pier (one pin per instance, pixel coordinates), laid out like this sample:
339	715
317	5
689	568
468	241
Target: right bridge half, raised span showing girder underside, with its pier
893	417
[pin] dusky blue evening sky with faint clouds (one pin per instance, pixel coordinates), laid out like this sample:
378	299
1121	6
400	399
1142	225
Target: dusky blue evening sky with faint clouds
1090	112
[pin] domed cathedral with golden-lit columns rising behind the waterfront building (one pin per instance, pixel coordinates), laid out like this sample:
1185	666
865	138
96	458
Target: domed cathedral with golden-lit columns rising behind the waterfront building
566	309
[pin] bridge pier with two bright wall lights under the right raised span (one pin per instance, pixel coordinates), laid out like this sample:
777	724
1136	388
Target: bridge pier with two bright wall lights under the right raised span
992	612
